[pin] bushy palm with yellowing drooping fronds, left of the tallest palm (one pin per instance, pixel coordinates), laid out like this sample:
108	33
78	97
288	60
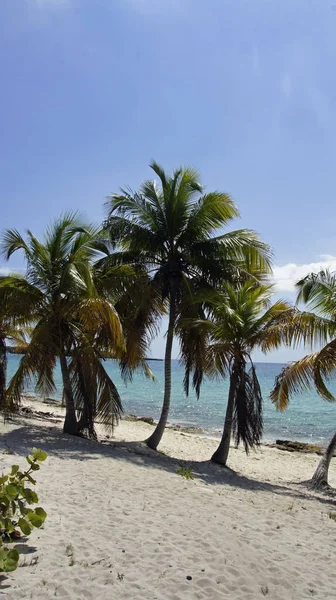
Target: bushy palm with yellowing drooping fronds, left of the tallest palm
75	321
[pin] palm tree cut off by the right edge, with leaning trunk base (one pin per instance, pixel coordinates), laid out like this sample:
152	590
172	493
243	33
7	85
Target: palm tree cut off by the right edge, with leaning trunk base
318	292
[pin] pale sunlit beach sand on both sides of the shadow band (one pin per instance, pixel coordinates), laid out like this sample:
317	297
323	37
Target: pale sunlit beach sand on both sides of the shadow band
123	525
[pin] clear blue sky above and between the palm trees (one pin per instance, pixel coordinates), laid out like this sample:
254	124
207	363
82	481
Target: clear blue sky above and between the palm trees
245	91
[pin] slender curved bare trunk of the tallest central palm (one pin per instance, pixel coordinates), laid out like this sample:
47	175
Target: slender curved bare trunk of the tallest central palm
154	440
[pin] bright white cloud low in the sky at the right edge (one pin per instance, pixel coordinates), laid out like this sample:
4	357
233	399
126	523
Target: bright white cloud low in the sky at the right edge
286	276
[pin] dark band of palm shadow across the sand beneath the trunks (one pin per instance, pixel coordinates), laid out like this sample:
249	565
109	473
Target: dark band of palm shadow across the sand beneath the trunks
21	440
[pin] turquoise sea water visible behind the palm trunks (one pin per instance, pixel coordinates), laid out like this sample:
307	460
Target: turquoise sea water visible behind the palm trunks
309	418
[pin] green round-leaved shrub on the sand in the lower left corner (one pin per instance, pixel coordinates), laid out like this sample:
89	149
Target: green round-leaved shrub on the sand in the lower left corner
16	510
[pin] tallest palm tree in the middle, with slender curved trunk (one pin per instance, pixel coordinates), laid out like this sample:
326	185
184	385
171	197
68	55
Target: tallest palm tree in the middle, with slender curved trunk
169	226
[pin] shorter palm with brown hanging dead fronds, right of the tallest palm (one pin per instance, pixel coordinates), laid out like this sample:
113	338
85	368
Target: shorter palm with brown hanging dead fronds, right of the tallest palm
241	321
